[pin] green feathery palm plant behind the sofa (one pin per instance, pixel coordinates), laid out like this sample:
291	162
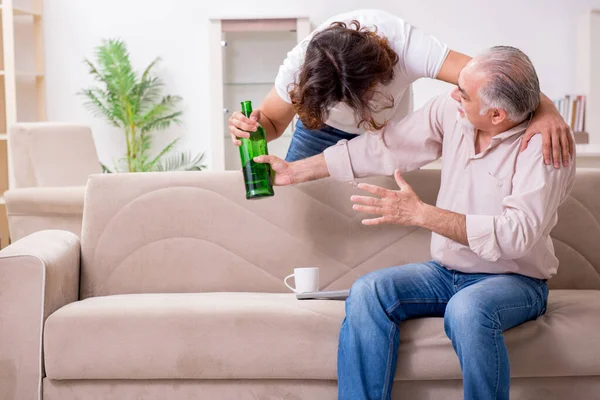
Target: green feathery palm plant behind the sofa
134	103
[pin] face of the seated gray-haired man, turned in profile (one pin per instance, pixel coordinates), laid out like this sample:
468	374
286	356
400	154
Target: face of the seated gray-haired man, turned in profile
467	95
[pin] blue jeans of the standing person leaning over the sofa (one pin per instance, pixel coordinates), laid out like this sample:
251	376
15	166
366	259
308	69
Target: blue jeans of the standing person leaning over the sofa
307	143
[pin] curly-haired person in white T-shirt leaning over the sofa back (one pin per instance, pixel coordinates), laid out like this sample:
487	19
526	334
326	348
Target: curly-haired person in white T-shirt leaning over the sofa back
354	74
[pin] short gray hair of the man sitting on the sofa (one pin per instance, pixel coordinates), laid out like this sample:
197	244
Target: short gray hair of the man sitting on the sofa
511	84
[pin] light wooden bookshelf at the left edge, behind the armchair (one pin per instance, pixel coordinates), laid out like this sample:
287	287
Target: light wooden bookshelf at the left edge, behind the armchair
11	75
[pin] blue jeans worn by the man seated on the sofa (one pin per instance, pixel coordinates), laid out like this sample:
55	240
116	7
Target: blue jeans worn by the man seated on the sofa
476	308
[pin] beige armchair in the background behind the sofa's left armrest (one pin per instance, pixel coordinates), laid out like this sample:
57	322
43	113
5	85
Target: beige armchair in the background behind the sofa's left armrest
50	163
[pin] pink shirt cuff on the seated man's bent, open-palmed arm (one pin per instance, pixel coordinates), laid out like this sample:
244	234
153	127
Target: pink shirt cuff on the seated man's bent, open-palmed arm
482	236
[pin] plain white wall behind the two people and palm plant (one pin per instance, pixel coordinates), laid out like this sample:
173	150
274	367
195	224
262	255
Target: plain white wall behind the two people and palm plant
177	31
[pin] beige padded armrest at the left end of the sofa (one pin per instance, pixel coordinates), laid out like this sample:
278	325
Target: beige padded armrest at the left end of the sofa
38	275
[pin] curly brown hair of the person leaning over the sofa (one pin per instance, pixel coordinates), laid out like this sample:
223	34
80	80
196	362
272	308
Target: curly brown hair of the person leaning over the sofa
342	64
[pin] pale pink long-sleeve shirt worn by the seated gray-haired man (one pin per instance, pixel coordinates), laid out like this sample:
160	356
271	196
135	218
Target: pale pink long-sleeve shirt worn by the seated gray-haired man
510	198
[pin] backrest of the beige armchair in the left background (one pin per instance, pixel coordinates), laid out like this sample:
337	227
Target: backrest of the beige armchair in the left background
52	154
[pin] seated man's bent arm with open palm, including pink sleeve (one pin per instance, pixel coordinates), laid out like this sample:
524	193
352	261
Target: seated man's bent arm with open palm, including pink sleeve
538	190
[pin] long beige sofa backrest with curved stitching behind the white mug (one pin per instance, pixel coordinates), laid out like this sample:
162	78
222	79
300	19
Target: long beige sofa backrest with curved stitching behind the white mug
196	232
